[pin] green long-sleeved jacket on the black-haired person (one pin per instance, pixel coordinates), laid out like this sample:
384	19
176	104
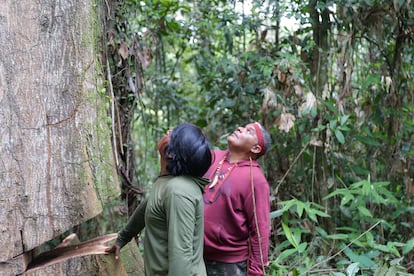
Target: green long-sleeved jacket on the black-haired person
174	227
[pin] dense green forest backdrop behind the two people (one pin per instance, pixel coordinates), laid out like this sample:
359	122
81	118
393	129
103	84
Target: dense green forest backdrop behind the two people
335	92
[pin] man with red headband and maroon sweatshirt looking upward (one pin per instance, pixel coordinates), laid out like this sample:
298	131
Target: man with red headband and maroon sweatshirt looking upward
237	206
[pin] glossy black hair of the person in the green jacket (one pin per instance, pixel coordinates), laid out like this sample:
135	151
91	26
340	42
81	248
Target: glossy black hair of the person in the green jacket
188	151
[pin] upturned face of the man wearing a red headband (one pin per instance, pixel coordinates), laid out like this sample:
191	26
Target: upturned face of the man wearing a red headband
243	138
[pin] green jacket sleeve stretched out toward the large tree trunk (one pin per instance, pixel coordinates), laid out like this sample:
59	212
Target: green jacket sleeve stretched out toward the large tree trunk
134	225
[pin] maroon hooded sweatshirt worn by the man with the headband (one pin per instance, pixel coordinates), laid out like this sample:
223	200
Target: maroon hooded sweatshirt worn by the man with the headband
236	226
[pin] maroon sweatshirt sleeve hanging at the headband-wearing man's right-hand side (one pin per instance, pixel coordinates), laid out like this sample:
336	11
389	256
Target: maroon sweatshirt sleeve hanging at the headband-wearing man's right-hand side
259	226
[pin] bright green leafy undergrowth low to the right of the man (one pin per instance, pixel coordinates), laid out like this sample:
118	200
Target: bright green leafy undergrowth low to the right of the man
368	241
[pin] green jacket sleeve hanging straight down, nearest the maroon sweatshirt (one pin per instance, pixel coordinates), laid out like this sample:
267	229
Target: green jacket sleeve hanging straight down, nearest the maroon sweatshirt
181	220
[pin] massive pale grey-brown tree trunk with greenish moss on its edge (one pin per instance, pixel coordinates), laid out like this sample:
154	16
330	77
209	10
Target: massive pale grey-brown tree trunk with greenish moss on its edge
56	161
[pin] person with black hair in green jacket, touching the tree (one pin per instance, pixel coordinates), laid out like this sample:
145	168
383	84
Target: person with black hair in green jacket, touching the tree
173	213
